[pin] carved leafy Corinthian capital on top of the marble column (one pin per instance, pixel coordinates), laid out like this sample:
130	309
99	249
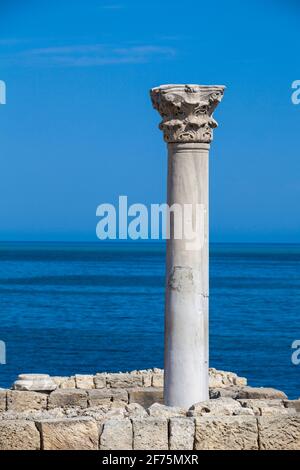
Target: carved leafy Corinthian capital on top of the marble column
186	111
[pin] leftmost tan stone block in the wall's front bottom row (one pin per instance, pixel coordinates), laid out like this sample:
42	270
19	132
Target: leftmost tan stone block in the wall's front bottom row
19	435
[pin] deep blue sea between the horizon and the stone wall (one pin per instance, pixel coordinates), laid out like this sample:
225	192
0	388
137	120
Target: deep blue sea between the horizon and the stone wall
80	308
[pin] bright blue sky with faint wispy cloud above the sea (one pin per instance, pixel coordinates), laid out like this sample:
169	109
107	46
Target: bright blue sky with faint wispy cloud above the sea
78	128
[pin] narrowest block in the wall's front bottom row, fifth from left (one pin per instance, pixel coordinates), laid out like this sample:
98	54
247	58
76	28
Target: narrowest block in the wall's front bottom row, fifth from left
182	433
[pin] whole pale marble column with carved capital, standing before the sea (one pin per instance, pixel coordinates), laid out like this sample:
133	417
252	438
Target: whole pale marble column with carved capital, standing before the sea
187	126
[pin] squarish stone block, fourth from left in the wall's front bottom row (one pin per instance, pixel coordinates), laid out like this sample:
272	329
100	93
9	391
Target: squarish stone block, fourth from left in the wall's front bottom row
150	433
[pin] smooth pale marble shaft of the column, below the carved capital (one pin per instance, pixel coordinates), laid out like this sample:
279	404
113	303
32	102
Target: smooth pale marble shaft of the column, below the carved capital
186	308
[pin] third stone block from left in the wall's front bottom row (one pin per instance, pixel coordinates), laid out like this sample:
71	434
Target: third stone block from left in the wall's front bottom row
116	435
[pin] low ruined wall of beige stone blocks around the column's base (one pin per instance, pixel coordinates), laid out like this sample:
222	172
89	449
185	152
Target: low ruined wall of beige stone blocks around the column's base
125	412
